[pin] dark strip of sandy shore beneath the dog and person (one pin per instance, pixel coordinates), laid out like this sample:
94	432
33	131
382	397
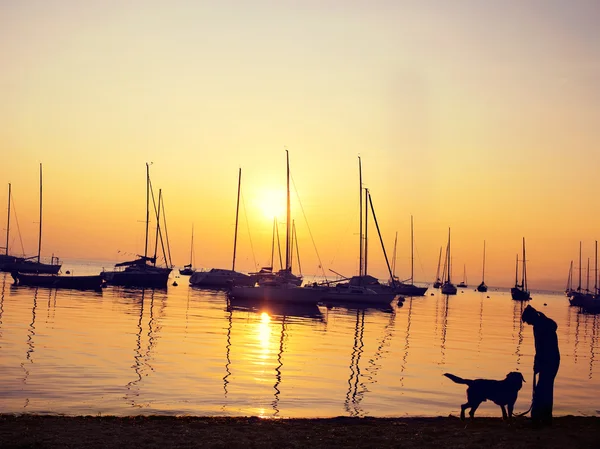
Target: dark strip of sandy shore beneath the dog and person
34	431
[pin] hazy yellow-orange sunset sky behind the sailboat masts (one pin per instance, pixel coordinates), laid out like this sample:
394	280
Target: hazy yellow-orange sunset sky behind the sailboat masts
482	117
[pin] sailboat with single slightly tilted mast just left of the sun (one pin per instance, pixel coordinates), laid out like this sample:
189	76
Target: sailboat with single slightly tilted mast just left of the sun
222	277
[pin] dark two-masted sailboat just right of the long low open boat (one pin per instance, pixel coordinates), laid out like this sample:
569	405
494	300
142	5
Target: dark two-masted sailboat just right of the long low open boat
143	271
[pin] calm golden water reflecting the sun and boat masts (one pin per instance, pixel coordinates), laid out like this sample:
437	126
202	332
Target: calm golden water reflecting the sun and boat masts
186	351
